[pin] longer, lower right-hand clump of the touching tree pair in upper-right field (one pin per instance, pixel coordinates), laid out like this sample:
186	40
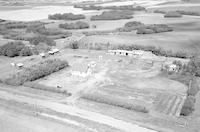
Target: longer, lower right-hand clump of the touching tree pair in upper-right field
155	28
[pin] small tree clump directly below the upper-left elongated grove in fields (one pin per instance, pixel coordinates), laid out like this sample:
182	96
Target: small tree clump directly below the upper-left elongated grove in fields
77	25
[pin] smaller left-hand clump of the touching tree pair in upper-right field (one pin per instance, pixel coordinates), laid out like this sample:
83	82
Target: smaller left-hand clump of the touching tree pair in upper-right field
130	26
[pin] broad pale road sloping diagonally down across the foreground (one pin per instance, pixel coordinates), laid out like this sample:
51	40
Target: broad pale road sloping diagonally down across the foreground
74	111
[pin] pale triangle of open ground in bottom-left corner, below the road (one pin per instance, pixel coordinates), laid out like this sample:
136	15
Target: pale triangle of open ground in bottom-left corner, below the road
15	122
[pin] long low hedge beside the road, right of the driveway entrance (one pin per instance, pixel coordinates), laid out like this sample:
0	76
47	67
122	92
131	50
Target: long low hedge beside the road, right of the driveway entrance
114	102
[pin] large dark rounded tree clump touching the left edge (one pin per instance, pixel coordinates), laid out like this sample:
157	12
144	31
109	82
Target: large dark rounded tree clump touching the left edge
12	49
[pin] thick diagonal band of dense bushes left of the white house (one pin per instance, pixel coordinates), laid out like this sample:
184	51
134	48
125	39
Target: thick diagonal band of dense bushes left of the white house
37	71
